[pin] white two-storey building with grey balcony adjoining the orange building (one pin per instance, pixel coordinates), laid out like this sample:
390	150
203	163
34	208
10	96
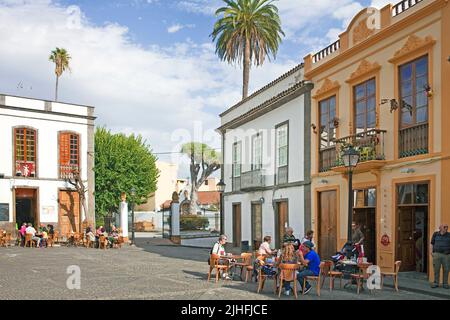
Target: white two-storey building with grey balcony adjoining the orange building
266	152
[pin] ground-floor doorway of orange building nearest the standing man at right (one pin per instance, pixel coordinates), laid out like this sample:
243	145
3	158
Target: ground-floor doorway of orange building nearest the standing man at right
412	227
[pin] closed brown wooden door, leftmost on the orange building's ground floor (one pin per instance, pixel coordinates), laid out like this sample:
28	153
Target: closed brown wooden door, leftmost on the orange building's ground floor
327	224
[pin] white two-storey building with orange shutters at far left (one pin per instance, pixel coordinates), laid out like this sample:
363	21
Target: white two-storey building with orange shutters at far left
43	143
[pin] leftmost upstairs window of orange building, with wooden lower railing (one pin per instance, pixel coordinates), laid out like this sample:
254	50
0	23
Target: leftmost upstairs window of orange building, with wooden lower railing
327	148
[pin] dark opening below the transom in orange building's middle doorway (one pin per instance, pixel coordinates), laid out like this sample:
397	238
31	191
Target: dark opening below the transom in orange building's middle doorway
365	218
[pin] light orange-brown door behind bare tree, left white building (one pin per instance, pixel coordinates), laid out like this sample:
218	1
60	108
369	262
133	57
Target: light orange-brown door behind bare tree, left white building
69	212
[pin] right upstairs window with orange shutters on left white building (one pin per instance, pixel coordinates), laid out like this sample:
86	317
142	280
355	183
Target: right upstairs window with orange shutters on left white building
69	153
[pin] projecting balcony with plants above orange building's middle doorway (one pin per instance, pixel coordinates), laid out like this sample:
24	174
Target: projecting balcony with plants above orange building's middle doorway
370	145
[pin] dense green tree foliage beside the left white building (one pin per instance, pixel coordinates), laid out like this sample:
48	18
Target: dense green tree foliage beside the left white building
121	164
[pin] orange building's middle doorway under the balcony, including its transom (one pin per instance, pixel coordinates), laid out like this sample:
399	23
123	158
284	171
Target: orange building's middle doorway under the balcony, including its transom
364	215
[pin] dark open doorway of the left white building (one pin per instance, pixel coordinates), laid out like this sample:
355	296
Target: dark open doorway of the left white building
26	205
